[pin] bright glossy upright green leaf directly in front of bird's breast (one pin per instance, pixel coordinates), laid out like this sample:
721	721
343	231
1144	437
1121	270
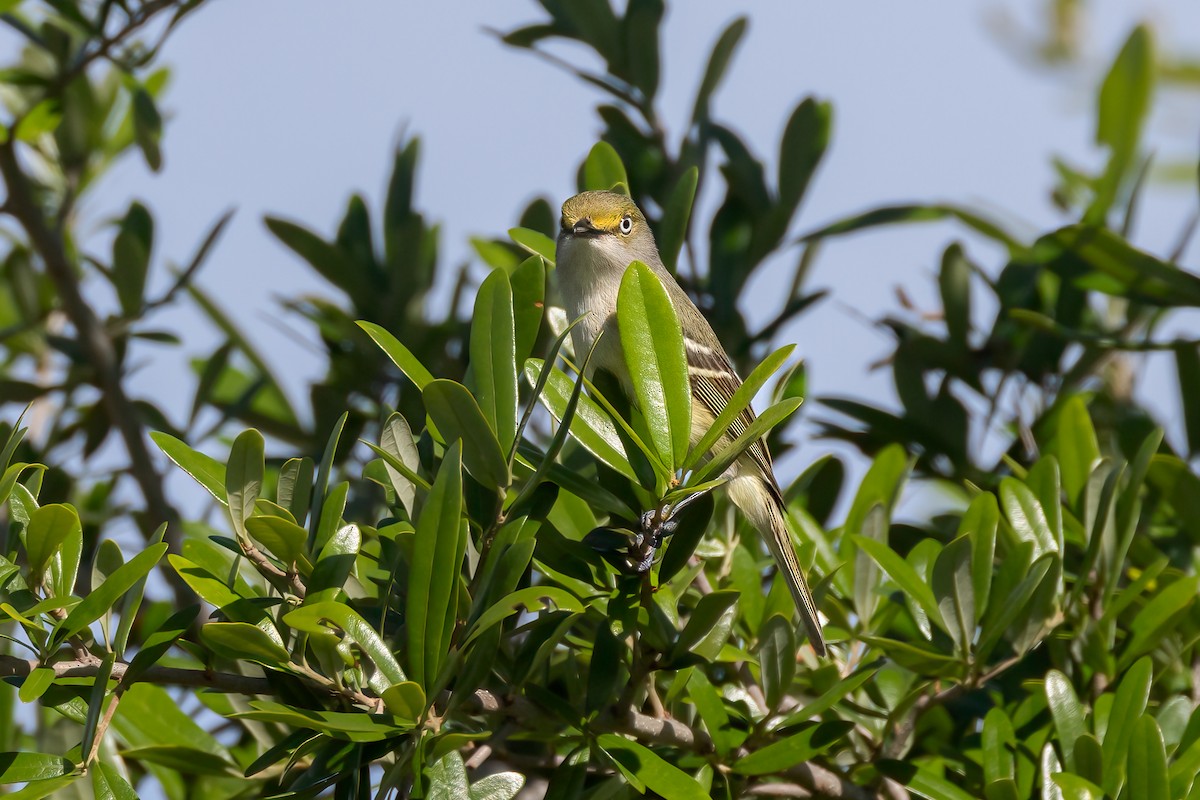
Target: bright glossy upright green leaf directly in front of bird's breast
652	341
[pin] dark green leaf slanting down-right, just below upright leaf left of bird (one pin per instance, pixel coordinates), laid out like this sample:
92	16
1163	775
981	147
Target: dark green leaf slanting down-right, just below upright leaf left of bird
459	418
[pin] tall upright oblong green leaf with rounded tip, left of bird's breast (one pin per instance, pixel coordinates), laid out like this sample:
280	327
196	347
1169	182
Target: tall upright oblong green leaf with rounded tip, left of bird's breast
494	357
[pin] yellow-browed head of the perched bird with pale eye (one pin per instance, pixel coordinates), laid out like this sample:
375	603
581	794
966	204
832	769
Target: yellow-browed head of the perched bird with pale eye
604	230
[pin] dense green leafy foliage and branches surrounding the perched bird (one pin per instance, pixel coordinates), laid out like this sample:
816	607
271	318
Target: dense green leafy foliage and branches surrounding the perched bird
422	586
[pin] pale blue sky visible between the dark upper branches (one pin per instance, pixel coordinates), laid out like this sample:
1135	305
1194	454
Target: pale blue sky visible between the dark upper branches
287	107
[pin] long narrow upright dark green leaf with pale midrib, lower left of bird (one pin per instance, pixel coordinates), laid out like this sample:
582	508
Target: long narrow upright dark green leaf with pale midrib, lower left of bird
439	548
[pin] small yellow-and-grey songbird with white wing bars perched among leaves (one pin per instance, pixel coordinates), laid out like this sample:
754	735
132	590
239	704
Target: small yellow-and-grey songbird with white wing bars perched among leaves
602	234
